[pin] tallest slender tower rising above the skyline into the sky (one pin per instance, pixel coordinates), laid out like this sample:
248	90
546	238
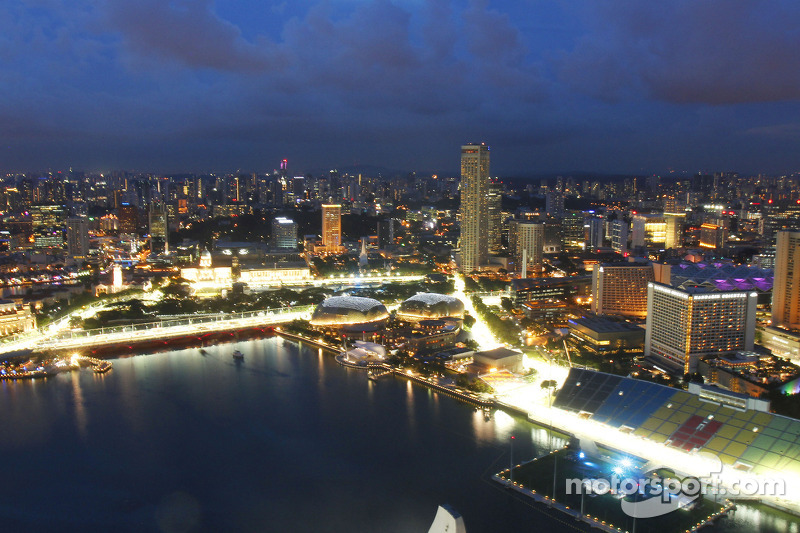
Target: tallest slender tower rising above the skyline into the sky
474	206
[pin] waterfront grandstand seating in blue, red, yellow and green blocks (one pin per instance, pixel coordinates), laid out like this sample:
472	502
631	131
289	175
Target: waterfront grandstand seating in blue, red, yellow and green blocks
745	439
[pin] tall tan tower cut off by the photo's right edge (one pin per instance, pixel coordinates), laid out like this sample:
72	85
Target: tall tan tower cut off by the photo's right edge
786	288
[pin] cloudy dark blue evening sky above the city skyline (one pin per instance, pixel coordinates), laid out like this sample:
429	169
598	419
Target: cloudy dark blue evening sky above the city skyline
552	86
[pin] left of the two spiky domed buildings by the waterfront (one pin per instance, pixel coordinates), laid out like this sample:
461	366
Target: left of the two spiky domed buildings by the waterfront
350	312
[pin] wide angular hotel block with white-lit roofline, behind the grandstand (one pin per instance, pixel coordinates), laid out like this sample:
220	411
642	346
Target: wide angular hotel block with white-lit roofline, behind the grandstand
684	326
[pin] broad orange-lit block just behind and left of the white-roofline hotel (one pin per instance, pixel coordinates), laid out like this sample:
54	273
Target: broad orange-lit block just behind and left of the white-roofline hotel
621	289
